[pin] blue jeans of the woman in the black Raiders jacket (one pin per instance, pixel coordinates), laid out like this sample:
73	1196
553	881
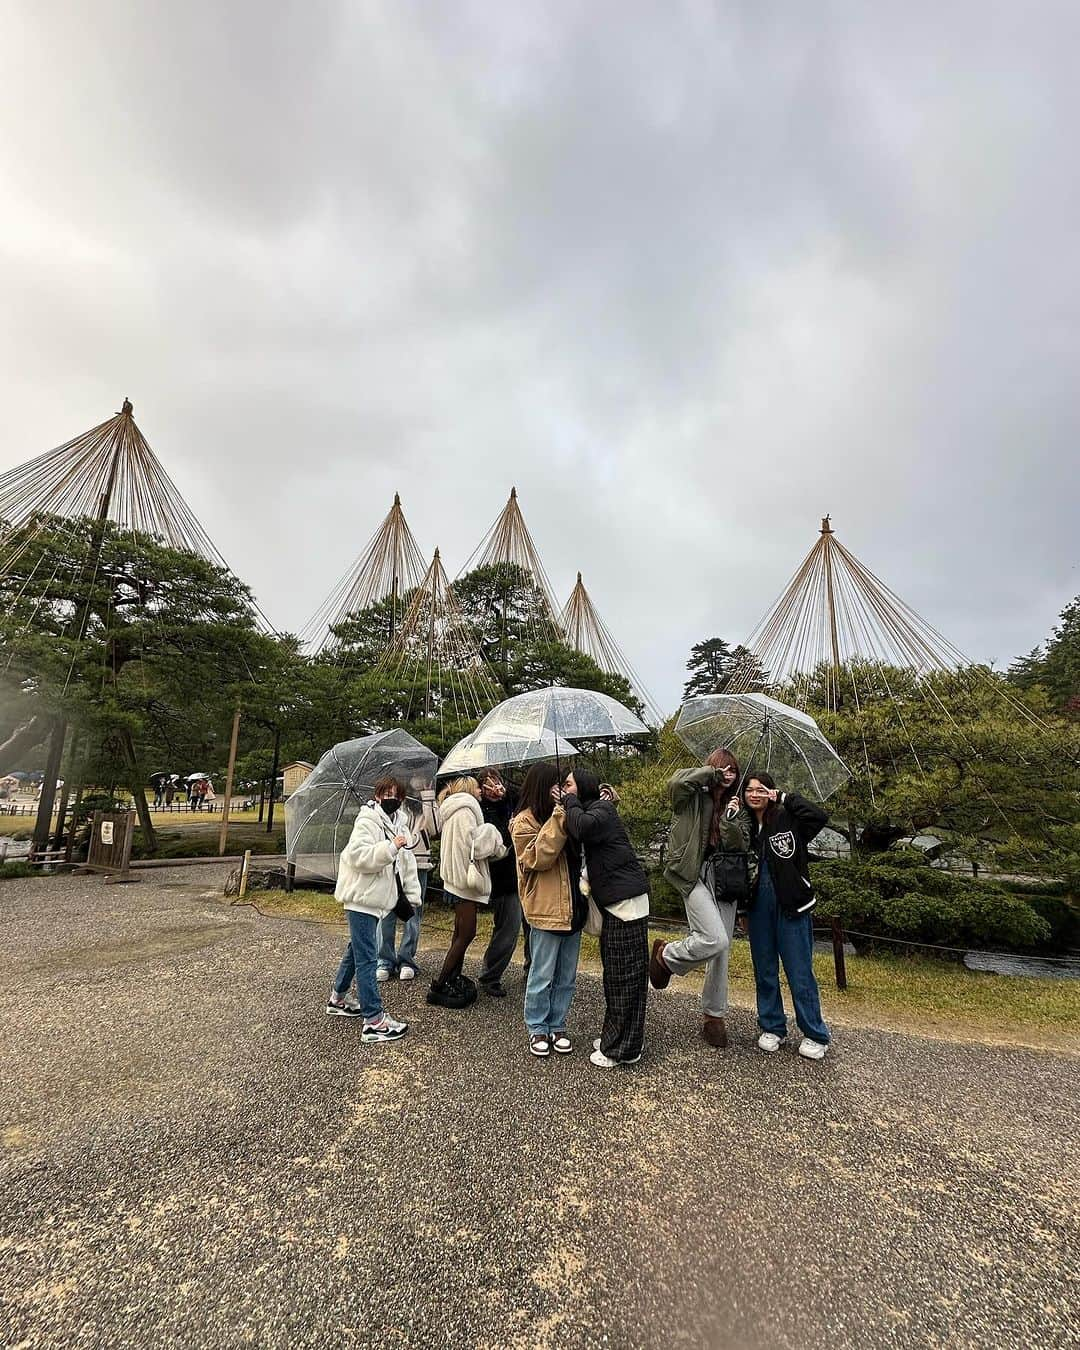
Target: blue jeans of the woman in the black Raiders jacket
777	938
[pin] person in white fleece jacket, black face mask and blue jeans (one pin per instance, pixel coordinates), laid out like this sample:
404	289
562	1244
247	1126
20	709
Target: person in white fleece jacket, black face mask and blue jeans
372	863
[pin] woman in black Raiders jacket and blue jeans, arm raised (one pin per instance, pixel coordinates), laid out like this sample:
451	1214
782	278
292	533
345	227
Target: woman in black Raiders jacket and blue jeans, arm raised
781	928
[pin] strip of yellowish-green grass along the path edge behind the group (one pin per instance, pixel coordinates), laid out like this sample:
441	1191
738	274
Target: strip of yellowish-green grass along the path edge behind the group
893	993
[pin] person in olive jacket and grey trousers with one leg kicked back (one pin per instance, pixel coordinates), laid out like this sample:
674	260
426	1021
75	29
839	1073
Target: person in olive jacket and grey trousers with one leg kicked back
708	819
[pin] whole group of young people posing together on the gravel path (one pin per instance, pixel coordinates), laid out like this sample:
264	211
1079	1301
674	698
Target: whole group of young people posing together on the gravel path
736	847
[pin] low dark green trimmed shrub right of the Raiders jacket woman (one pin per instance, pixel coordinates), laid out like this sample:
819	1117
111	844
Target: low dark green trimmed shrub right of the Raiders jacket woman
900	897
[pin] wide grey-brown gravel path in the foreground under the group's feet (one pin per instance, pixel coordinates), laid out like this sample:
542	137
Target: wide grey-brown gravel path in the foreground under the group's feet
192	1155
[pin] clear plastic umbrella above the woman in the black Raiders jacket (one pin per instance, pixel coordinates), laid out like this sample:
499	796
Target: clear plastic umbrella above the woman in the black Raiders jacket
763	735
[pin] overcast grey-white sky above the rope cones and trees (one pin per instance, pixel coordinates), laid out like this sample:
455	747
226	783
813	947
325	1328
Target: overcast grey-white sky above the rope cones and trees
691	276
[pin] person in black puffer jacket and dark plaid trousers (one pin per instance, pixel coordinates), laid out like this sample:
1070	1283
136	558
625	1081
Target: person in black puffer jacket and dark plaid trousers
619	886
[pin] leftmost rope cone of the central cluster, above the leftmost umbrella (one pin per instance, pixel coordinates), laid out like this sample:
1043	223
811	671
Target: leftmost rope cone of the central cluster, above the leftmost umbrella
389	566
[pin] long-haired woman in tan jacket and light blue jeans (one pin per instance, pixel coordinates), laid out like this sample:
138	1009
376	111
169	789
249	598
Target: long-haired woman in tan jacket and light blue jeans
549	874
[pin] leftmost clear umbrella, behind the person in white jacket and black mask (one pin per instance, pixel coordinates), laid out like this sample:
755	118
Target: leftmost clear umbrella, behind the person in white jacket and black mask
321	815
